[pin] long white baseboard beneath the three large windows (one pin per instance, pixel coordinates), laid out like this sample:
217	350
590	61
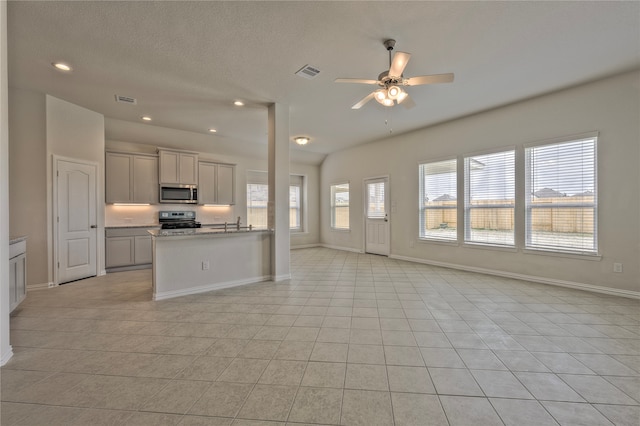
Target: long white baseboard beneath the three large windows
534	278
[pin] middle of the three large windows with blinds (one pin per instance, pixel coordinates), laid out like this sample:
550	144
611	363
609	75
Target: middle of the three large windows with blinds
490	198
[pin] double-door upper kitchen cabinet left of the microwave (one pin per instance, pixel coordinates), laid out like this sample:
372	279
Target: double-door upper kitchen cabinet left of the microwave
131	178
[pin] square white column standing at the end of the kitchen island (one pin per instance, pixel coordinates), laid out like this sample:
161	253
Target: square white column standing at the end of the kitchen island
278	206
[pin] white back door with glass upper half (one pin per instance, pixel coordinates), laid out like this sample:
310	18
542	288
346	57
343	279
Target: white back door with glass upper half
377	216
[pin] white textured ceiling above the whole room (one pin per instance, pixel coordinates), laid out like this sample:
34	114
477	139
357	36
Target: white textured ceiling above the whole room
186	62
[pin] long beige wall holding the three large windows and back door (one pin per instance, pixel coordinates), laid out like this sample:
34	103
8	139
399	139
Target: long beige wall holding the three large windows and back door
609	106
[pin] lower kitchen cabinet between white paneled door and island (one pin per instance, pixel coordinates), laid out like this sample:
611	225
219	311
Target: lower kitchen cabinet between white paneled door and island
127	248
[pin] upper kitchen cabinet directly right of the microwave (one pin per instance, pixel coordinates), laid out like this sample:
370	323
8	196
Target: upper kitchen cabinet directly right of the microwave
216	183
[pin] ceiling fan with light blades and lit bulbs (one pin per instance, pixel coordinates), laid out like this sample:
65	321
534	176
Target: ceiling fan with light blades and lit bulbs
391	92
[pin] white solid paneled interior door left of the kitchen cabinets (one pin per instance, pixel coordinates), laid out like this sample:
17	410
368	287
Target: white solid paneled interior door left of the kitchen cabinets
77	220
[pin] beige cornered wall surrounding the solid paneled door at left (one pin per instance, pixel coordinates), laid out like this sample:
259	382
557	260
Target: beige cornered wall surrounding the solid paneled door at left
43	127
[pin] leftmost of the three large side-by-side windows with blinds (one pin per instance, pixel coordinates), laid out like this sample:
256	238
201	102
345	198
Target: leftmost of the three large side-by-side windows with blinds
438	200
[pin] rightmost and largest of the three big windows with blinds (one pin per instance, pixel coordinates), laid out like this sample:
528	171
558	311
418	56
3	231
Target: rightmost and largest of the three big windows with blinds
561	196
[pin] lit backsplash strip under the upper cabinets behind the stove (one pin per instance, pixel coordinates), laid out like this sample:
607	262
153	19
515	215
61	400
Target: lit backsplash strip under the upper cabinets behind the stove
148	215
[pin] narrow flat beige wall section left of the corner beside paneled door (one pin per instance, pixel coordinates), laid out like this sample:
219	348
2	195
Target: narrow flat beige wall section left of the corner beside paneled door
28	177
